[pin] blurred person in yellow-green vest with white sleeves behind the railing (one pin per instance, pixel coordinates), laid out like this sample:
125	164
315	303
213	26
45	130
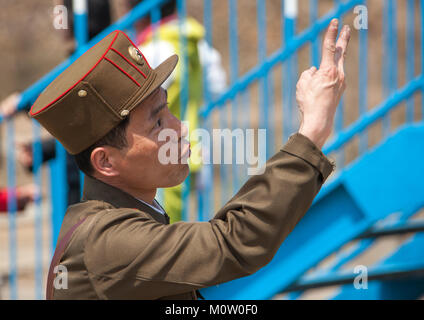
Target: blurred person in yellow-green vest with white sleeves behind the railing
162	40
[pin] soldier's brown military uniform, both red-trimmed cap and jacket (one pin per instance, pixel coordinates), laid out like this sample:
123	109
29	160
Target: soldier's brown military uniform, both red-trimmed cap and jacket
117	247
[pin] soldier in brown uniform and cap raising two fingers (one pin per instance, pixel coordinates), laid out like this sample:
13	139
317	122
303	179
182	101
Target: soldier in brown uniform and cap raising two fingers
108	109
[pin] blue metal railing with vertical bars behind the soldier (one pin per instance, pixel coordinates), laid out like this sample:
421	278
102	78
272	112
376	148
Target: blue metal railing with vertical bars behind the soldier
237	99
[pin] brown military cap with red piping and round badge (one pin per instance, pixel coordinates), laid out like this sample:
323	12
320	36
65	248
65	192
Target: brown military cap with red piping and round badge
98	91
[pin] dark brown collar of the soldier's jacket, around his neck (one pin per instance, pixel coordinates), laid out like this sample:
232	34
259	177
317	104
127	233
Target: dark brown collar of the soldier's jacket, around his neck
97	190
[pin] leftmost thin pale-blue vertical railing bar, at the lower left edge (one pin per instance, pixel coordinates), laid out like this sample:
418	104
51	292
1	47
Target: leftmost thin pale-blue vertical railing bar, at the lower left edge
12	208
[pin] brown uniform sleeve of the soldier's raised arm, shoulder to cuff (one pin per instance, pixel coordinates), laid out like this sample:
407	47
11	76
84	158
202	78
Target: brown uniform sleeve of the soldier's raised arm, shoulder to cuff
130	255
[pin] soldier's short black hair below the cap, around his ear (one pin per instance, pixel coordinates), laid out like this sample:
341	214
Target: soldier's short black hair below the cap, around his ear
115	138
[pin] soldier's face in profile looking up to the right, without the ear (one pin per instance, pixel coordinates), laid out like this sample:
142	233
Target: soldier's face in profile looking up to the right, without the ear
140	166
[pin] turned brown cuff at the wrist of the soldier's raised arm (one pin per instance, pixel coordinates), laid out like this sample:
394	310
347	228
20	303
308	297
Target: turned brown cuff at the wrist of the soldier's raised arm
301	147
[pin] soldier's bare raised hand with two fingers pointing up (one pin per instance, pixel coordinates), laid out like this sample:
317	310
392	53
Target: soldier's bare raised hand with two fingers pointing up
318	92
